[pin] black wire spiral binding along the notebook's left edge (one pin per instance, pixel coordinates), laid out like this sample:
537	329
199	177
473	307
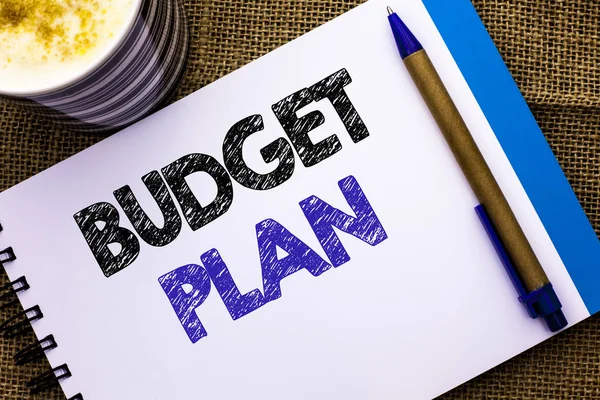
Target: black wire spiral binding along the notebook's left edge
20	322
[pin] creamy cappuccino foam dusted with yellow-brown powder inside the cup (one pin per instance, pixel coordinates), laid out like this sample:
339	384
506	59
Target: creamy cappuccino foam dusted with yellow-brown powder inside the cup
48	43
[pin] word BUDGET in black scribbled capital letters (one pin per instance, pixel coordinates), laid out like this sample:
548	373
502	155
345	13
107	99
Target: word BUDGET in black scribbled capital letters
99	236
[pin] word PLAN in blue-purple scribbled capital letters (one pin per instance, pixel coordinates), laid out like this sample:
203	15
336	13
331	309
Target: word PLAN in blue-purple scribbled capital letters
187	287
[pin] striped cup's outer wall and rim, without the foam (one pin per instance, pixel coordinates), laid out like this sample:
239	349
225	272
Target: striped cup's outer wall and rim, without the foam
135	76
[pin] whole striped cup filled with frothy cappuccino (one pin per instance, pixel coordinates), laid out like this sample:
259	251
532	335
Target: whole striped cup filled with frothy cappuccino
95	65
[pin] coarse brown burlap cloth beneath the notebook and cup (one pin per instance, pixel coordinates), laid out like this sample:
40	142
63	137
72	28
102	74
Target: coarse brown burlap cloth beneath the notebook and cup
552	49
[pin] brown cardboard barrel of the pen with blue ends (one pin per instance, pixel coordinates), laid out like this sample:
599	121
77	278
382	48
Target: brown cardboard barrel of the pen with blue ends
475	169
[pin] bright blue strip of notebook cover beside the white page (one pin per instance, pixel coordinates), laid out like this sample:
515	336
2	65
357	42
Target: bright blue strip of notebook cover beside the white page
523	142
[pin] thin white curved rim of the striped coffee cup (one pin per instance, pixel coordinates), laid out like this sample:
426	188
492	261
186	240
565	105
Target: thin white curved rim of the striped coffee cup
107	53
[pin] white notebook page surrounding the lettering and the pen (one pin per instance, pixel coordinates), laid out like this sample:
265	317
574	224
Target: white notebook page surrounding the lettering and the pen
419	313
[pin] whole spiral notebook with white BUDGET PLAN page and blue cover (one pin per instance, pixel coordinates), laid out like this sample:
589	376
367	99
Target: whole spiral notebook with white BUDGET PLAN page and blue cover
298	229
